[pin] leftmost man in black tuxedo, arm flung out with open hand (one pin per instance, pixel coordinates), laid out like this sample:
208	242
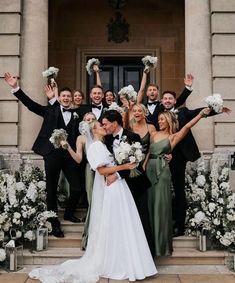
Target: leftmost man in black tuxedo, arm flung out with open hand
59	116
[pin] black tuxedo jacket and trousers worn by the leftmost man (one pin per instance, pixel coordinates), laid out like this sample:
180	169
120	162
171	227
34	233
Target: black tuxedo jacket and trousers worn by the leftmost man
55	159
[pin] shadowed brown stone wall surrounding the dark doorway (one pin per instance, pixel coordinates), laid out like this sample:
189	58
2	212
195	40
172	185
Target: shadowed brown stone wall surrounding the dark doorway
82	24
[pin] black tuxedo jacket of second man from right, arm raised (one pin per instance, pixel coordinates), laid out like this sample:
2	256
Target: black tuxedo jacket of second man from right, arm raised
153	118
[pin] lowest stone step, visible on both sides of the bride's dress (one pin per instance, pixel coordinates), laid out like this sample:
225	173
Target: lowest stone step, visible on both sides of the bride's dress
180	256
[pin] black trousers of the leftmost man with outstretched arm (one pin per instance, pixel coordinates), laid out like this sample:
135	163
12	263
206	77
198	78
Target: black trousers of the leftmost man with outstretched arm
59	160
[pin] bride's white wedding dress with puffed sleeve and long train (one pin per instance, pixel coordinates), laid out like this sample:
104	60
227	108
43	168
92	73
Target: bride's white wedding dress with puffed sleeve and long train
117	247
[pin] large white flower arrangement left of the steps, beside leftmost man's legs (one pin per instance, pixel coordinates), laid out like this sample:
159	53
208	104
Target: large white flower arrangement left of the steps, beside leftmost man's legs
22	202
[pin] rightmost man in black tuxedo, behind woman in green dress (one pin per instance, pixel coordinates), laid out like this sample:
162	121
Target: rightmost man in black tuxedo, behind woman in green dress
186	150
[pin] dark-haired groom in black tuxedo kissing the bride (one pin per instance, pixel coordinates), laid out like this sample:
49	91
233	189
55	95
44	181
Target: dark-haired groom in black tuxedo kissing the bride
112	123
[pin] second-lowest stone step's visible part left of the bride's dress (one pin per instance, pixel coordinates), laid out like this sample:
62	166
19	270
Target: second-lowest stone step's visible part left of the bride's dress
70	240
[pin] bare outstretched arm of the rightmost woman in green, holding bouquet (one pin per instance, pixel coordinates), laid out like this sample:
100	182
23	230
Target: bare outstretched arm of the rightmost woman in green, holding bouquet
177	137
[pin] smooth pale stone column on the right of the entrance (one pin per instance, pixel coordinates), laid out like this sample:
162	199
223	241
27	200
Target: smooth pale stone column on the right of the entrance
198	62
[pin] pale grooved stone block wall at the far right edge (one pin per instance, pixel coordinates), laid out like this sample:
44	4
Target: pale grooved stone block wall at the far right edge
223	68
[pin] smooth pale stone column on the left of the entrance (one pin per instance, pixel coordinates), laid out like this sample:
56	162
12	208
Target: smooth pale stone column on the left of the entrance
34	50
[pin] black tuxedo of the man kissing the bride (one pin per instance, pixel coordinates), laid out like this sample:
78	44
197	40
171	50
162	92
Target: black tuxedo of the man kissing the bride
138	186
